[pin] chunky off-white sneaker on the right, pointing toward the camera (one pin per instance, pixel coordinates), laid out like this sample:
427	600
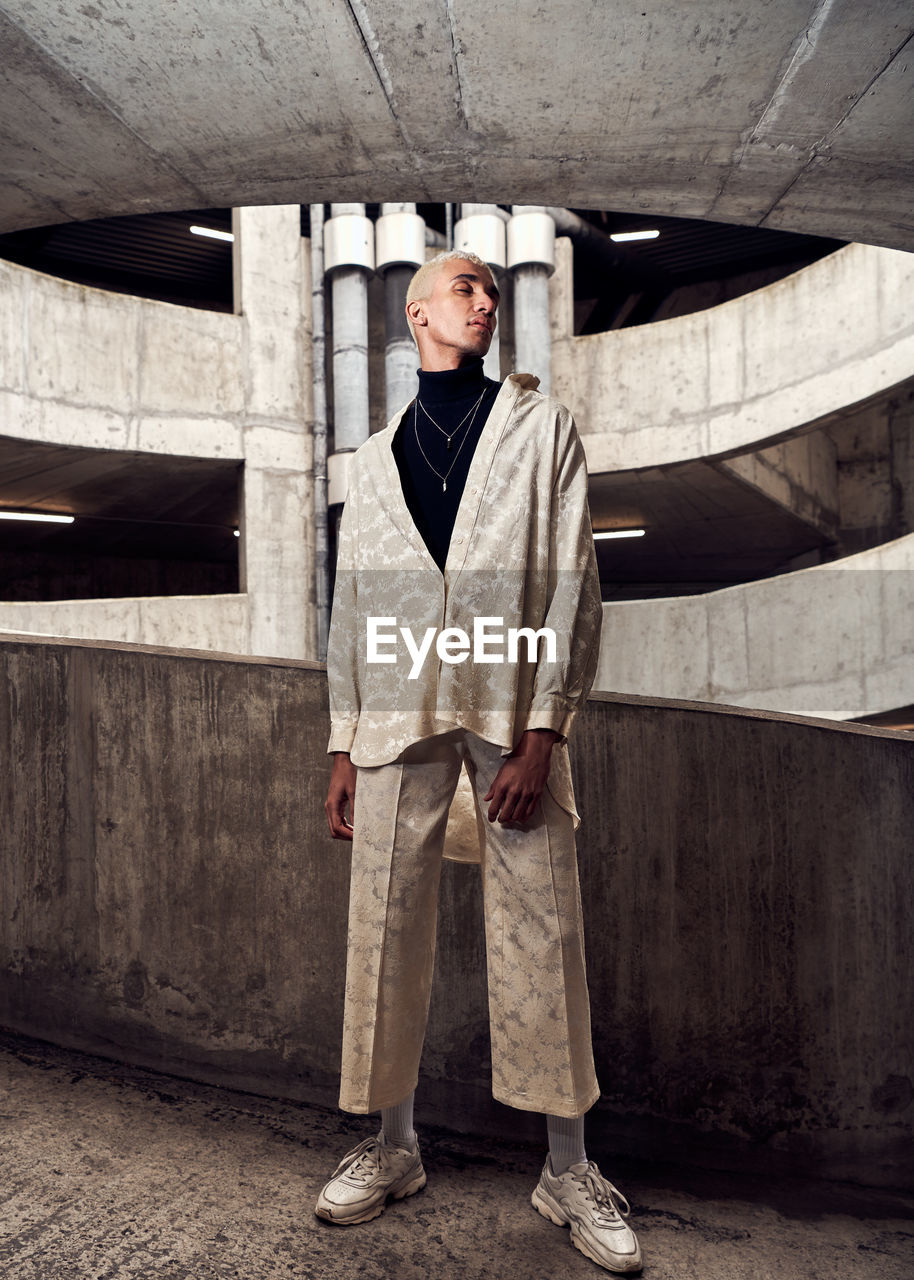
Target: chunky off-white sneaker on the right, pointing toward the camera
588	1203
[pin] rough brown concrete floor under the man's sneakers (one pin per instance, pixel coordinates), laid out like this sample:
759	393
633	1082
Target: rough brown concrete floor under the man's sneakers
109	1173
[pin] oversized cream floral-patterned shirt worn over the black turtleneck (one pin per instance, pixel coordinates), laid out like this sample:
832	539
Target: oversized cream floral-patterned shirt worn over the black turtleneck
522	556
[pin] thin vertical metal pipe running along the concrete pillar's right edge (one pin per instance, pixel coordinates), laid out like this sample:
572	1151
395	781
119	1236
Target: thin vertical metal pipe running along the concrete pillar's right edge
322	541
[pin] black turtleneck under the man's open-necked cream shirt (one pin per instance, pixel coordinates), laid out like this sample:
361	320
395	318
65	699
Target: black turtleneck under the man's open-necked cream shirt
450	396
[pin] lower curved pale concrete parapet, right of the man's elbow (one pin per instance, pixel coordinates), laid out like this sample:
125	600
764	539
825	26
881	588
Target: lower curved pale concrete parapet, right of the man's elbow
834	641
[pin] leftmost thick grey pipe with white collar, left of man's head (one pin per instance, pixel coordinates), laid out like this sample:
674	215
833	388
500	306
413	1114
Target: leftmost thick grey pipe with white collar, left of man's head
349	253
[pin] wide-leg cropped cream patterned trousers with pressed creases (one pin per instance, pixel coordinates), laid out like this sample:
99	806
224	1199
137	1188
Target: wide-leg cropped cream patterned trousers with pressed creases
540	1013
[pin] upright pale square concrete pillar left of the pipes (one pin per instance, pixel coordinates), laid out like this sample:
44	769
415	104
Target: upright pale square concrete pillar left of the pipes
277	519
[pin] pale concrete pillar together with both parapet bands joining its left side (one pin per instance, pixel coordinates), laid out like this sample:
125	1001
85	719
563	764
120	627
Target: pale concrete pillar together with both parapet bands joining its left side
107	371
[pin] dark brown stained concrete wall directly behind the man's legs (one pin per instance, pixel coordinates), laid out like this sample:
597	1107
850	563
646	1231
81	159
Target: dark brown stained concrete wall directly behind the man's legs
172	898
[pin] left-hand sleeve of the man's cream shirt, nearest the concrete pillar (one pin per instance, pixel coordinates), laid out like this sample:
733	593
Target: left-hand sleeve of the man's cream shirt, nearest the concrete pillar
342	646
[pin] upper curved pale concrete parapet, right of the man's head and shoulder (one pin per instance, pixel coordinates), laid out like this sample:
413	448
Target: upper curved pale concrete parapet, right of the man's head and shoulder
746	373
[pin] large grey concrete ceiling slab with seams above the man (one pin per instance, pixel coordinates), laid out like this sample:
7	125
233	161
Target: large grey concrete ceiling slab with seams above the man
788	115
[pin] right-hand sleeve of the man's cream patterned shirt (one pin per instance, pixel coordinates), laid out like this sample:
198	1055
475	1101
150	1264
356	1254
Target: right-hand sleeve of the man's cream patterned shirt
575	607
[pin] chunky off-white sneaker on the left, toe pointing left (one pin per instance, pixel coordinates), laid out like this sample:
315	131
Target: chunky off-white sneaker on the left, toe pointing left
367	1178
